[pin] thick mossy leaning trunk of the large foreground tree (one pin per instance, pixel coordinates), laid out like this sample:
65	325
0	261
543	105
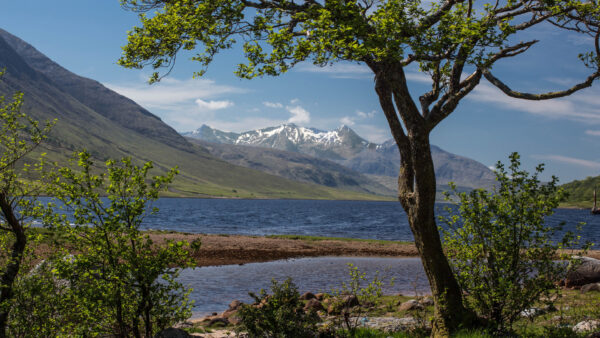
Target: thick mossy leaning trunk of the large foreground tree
416	192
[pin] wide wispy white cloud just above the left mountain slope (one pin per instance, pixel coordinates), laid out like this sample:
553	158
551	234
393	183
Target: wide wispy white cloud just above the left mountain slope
170	93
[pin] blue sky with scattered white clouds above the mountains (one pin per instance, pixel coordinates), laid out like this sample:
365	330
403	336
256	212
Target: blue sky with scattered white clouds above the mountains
85	37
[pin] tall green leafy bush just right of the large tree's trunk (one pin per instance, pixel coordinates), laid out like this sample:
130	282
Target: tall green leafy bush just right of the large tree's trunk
502	252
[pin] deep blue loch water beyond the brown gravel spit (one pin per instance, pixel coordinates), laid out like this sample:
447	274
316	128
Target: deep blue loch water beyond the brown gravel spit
357	219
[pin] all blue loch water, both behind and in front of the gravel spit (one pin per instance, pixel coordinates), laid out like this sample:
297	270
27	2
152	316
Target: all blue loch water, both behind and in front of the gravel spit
215	287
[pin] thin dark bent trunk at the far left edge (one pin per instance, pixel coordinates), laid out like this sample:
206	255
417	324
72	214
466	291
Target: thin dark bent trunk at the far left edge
14	264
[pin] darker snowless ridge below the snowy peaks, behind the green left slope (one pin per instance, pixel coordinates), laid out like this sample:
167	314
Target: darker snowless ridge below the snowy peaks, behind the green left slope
295	166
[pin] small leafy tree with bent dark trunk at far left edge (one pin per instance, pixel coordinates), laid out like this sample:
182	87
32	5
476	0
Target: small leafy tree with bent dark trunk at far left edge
19	136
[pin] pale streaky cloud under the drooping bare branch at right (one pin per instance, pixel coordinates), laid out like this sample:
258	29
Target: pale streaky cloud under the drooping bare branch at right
581	107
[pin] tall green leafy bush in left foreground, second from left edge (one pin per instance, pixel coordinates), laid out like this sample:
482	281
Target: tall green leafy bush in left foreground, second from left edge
126	281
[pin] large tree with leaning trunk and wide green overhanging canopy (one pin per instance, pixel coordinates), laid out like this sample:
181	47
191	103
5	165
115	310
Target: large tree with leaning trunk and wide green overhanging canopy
456	42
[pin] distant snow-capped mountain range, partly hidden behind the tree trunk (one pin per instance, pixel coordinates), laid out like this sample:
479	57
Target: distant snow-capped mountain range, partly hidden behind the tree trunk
347	148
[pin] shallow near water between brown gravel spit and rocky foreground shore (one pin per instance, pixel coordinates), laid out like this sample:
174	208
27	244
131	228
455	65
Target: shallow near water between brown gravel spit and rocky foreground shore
216	286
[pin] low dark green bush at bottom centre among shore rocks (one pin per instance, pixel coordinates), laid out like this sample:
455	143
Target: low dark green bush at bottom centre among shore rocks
280	314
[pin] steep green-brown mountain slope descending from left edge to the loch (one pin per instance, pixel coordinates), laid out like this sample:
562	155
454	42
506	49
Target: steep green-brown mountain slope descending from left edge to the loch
109	125
